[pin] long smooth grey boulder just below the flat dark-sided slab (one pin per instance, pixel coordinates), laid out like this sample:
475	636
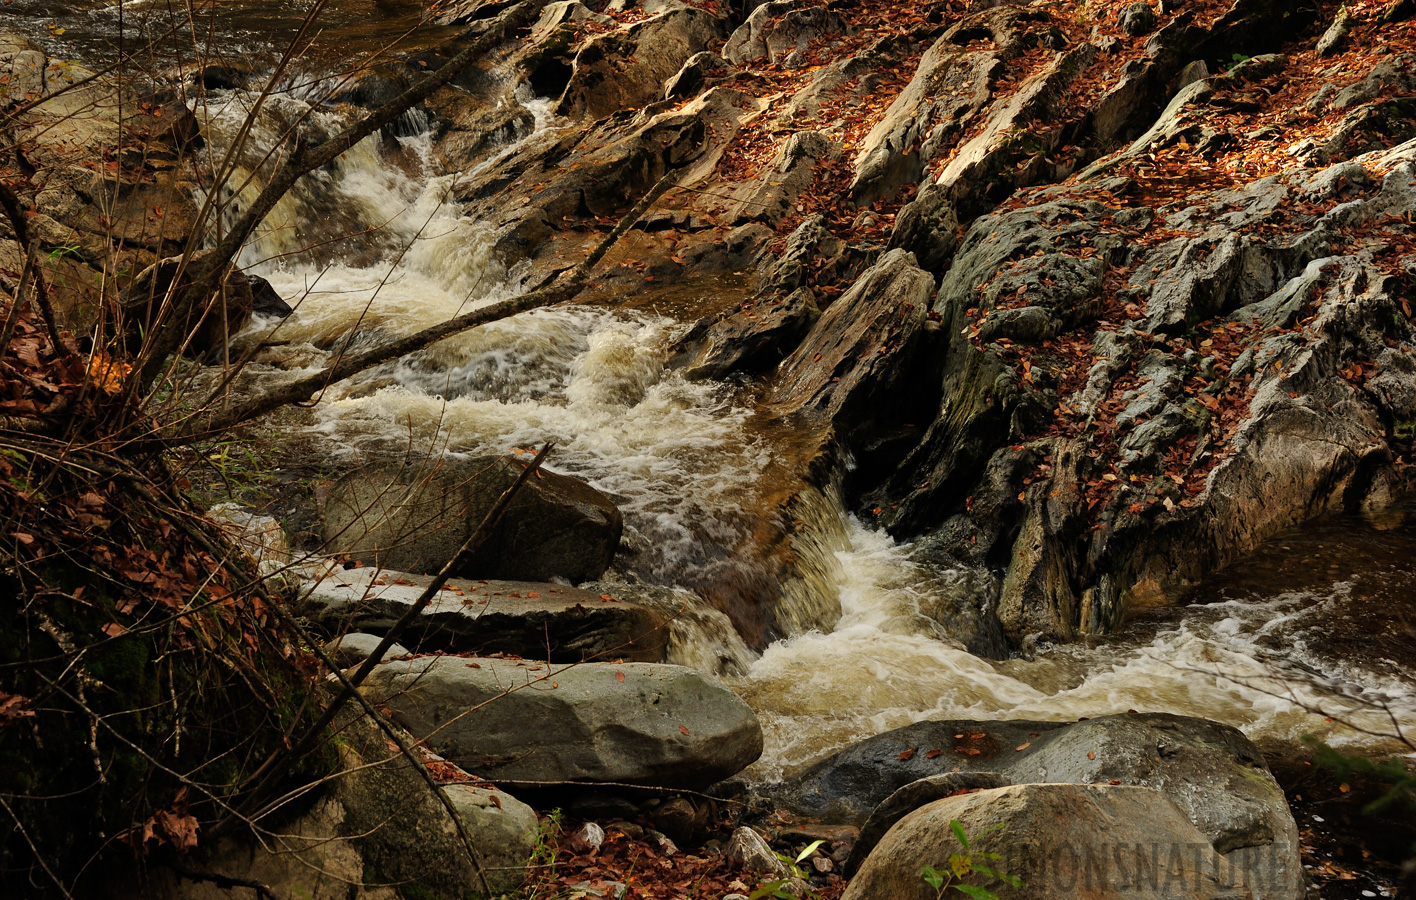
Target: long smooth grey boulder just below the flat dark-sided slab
539	725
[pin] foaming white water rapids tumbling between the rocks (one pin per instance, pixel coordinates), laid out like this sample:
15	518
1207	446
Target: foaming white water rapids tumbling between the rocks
682	459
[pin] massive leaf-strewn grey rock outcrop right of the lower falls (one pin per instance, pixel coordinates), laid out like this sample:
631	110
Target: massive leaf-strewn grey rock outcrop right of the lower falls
1026	284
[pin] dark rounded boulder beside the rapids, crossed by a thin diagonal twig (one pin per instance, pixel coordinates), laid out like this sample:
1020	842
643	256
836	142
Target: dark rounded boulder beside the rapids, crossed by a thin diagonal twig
417	516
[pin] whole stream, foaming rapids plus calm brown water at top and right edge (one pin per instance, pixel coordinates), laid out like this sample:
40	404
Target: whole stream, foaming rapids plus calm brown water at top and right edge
1311	636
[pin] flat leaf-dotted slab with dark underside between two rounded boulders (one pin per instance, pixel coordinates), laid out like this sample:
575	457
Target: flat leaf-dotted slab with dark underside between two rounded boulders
525	619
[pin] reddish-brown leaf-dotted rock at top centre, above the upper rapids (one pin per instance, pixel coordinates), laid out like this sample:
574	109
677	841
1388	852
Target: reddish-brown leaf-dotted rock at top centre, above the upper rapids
629	67
